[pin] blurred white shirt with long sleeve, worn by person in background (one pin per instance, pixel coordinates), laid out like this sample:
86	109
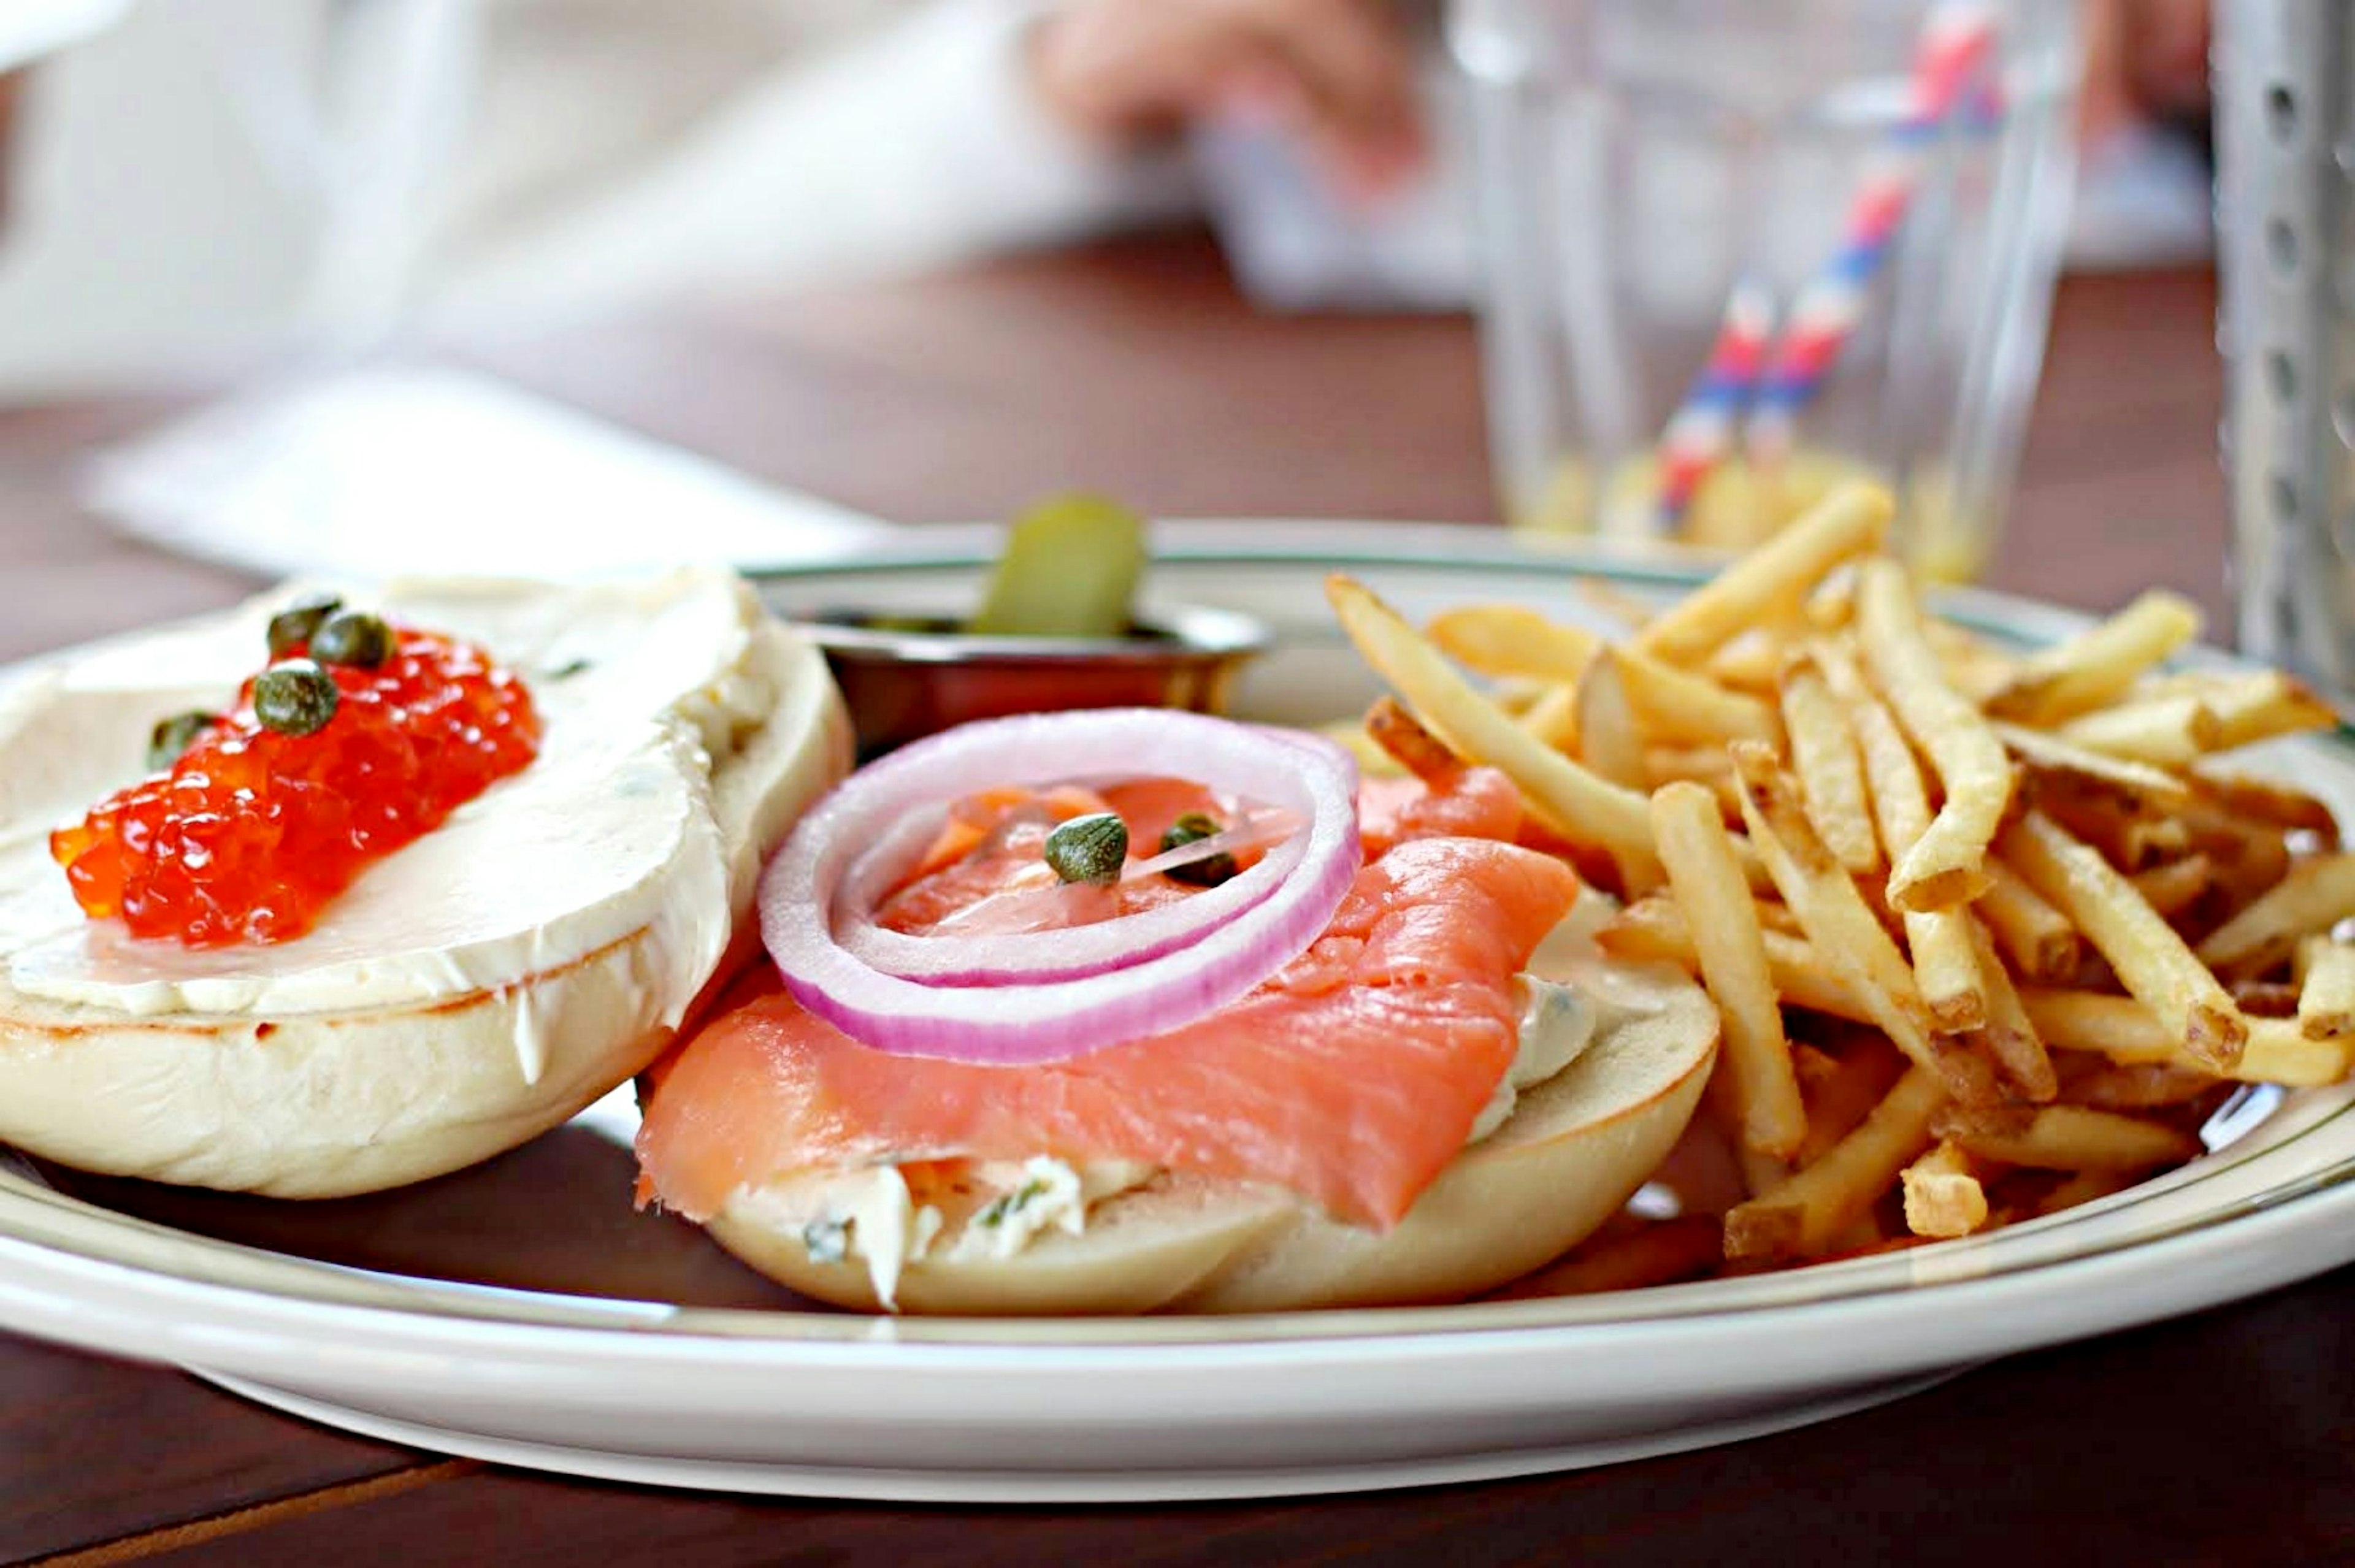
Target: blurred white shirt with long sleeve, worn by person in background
227	178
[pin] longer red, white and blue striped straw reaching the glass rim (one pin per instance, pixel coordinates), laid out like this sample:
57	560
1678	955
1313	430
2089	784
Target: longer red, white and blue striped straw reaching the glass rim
1951	55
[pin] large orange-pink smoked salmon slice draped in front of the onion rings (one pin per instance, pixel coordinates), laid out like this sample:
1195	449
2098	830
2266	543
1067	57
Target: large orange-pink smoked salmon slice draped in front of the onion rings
1351	1077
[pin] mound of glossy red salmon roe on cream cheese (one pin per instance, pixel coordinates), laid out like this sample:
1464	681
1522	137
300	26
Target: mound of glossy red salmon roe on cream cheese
253	832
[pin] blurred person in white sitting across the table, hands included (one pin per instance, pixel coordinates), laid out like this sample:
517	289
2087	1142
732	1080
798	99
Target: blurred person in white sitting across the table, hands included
220	178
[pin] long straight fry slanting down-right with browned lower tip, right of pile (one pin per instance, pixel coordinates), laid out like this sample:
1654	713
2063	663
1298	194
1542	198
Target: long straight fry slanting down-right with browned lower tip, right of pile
2147	952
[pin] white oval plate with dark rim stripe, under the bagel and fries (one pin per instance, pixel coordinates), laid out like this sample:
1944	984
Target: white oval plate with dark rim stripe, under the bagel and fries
637	1355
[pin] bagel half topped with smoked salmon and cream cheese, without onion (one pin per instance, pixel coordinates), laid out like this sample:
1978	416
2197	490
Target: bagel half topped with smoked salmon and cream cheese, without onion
1450	1089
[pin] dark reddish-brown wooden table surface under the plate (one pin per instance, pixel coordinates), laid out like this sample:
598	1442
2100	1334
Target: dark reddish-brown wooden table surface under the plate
2222	1437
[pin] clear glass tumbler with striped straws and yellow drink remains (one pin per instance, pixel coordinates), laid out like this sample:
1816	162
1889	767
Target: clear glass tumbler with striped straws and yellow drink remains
1883	180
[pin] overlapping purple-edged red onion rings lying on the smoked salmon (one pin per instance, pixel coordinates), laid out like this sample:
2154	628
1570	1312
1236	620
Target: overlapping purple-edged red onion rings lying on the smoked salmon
1037	997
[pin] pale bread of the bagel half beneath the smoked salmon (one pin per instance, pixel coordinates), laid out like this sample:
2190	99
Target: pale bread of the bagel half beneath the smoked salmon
1567	1160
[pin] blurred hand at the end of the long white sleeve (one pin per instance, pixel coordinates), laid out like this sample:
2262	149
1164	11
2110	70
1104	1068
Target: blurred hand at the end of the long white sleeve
1336	77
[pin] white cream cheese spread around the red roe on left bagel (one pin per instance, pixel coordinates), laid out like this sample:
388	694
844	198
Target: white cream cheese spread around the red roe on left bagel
611	832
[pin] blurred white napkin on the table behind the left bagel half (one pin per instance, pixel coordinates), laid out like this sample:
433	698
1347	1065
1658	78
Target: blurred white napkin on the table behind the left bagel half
385	472
